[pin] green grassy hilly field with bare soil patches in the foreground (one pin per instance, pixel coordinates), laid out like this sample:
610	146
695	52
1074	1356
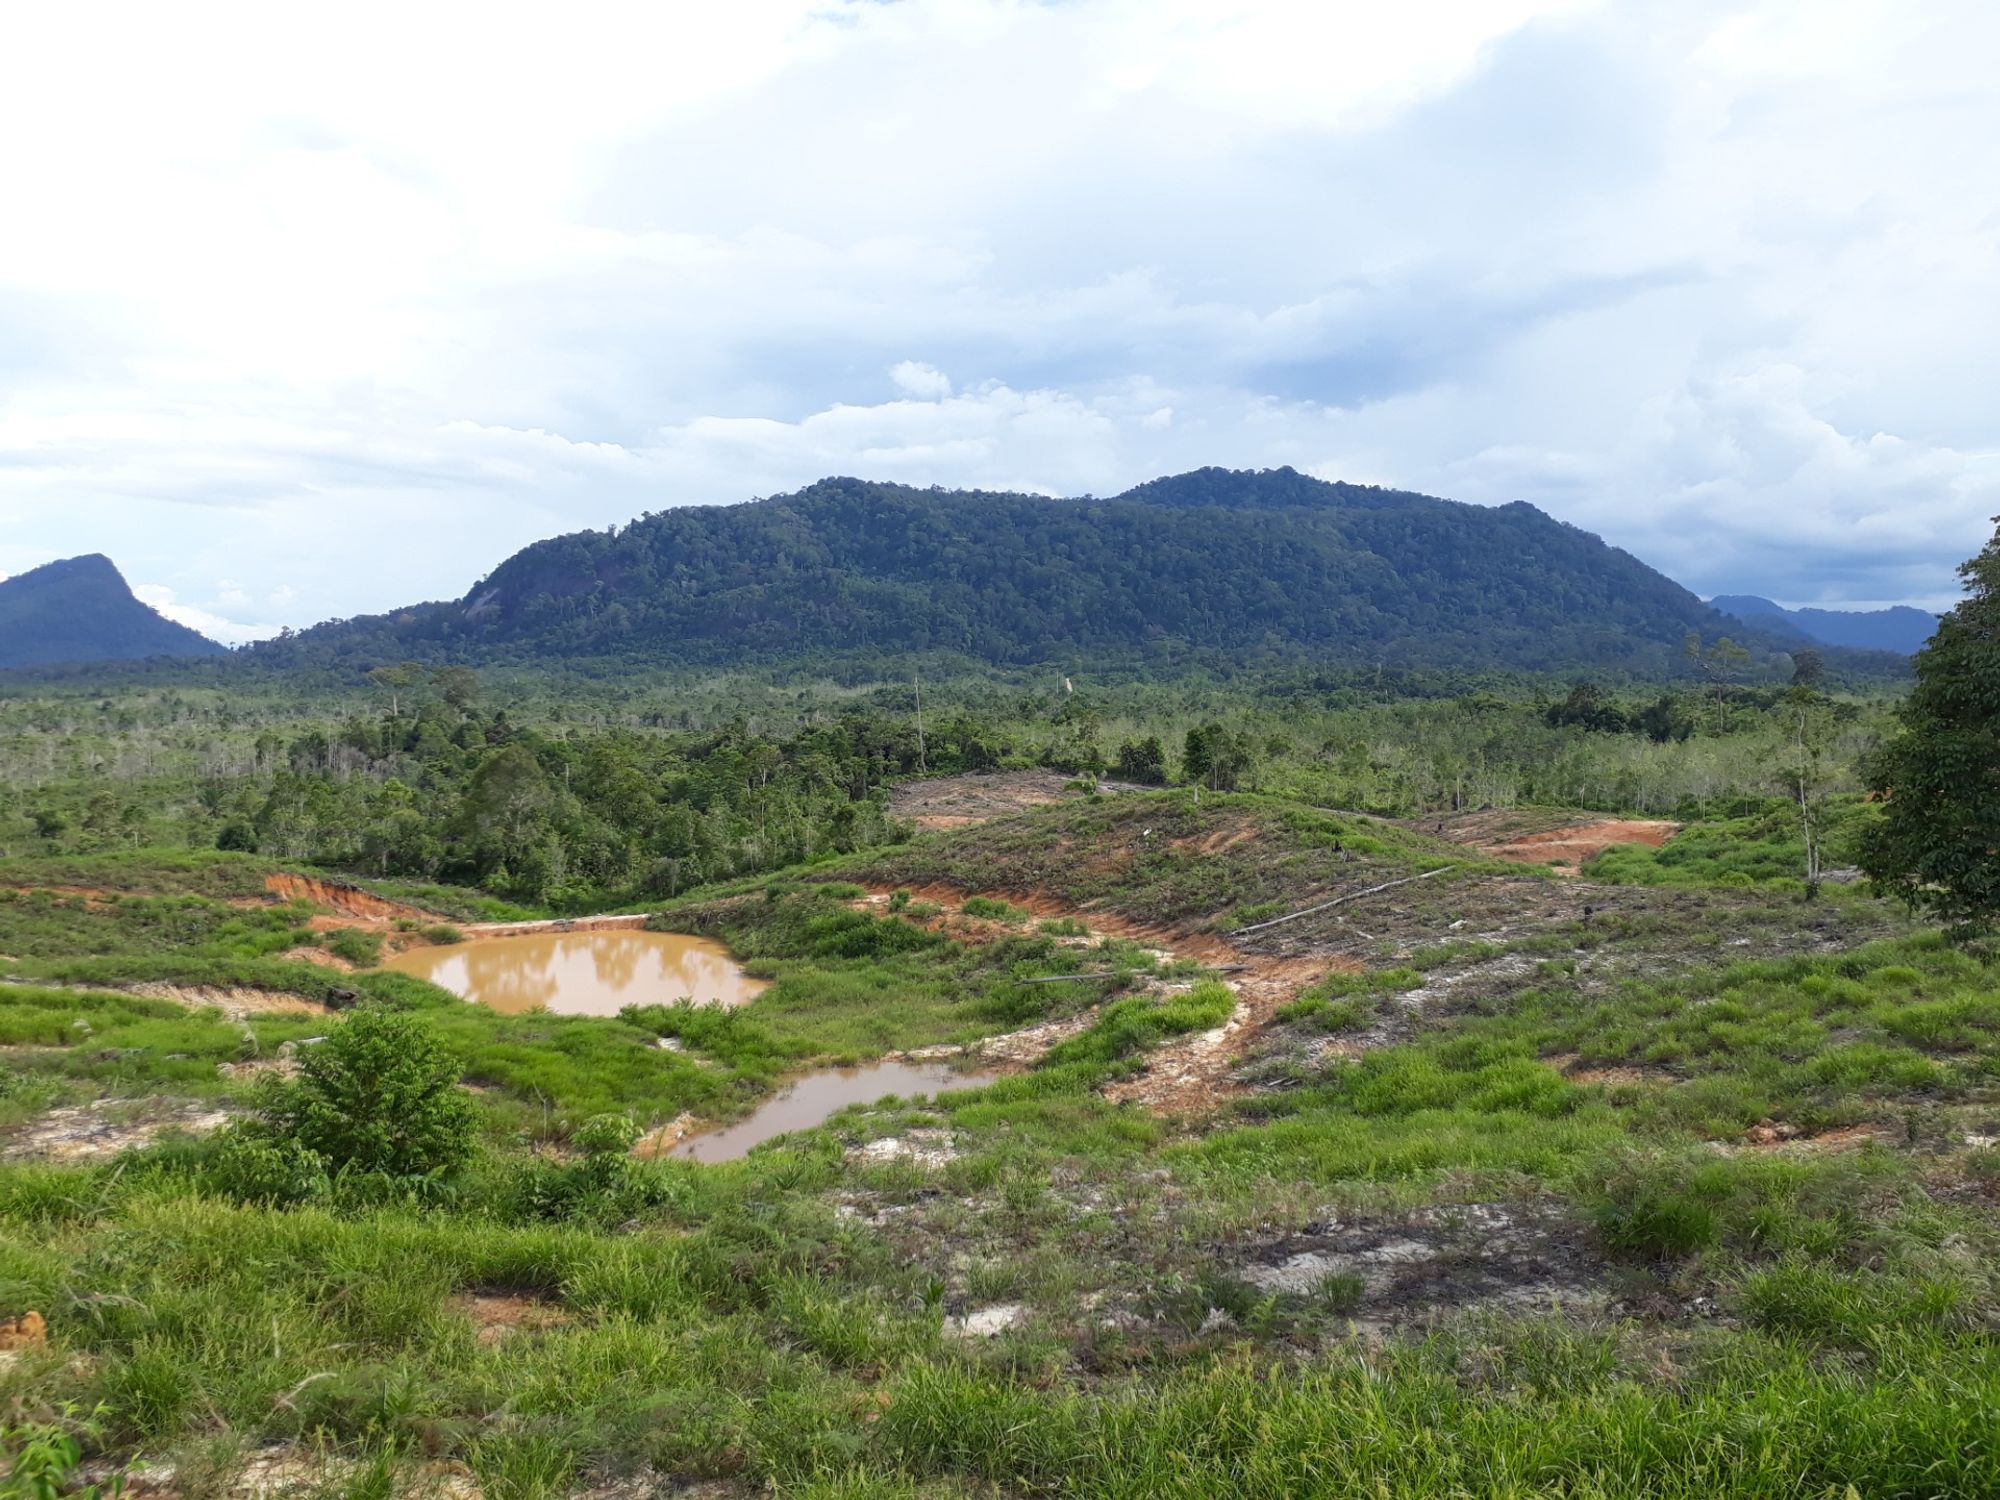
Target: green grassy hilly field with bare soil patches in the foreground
1659	1183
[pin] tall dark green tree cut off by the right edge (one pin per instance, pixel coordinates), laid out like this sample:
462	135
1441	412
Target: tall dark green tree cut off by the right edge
1939	841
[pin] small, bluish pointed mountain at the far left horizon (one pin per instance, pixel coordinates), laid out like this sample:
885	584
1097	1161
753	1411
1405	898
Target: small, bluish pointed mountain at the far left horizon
83	611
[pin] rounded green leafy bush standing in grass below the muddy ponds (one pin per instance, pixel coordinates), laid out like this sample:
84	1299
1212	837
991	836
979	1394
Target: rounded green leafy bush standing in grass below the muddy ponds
379	1095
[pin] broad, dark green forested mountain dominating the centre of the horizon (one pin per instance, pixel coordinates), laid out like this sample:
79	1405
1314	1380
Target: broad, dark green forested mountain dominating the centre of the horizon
1209	565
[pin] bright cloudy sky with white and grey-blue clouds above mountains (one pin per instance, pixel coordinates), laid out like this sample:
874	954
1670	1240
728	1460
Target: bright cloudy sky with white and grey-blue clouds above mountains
311	313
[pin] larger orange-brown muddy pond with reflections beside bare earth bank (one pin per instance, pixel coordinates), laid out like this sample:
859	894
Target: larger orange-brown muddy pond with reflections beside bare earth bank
583	973
